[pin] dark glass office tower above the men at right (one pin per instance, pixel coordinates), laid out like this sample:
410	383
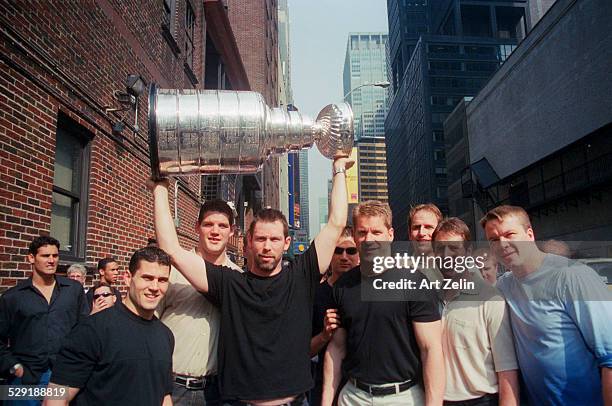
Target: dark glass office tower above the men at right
456	46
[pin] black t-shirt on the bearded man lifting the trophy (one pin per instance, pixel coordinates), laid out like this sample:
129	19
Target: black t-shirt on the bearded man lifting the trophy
264	339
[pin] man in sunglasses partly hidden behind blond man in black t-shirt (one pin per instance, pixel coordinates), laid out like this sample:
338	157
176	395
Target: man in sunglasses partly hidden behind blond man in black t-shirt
325	317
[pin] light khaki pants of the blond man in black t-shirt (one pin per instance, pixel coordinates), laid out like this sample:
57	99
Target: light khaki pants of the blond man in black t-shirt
353	396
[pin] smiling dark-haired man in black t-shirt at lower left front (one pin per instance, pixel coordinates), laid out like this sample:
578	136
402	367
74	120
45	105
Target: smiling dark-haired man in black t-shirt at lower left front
122	355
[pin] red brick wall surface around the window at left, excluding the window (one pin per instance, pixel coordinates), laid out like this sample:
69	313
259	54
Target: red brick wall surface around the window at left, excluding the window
68	58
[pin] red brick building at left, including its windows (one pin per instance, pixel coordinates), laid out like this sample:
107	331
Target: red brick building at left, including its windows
64	171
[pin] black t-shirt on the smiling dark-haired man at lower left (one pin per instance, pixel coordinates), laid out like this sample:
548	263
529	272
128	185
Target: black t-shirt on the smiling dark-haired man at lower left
117	358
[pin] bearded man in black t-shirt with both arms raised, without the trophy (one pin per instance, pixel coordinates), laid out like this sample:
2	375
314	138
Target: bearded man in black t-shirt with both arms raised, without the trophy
266	312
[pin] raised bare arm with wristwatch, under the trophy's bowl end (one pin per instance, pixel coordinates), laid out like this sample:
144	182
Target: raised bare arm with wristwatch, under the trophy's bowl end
325	242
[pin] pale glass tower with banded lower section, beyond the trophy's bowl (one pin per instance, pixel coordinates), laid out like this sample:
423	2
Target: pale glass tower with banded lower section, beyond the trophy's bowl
366	63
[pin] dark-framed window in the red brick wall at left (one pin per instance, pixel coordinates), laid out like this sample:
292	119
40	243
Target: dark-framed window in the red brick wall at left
70	180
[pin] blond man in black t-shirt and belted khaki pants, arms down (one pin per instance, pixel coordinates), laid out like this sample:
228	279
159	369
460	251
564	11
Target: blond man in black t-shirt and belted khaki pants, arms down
391	350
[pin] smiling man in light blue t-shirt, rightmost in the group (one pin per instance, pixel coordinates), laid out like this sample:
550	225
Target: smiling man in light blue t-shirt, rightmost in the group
560	315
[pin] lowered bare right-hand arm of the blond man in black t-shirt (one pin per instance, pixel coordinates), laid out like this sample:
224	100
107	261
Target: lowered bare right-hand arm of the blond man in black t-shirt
429	339
